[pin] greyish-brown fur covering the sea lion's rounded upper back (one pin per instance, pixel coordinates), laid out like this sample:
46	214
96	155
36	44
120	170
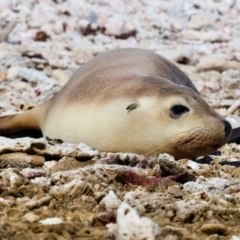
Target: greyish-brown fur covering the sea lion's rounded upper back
128	67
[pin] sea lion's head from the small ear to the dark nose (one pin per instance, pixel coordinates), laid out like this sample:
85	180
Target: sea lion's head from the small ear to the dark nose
184	124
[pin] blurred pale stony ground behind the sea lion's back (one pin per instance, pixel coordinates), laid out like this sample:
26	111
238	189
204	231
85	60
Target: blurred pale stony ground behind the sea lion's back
43	42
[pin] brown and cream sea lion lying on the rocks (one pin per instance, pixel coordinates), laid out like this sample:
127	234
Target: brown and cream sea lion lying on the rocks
128	100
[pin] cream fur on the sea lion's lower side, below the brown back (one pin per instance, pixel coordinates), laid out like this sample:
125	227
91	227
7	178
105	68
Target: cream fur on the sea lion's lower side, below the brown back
121	130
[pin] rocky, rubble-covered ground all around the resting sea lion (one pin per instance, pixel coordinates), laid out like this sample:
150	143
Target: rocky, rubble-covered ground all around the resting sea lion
55	190
